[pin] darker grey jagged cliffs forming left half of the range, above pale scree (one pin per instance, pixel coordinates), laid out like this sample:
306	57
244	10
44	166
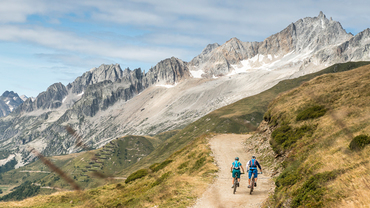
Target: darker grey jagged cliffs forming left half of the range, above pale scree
40	122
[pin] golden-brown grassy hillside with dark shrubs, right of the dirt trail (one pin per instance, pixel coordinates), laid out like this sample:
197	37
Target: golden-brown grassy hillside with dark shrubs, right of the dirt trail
322	130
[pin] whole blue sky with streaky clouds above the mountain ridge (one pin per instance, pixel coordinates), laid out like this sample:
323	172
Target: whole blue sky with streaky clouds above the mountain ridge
43	41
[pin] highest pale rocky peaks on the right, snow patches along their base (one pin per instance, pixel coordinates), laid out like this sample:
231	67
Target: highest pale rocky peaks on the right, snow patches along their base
305	44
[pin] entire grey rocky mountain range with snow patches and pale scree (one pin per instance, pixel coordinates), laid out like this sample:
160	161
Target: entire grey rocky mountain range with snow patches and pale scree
108	102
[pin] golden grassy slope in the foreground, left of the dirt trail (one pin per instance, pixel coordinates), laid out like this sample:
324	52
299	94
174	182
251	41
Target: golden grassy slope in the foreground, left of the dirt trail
176	182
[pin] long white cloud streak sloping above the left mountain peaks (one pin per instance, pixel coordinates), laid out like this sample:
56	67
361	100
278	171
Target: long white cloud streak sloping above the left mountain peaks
87	45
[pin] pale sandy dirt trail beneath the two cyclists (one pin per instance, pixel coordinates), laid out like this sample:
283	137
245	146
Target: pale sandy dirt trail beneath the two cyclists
225	148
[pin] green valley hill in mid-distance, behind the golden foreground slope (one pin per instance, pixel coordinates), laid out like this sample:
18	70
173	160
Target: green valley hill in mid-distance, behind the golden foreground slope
108	160
